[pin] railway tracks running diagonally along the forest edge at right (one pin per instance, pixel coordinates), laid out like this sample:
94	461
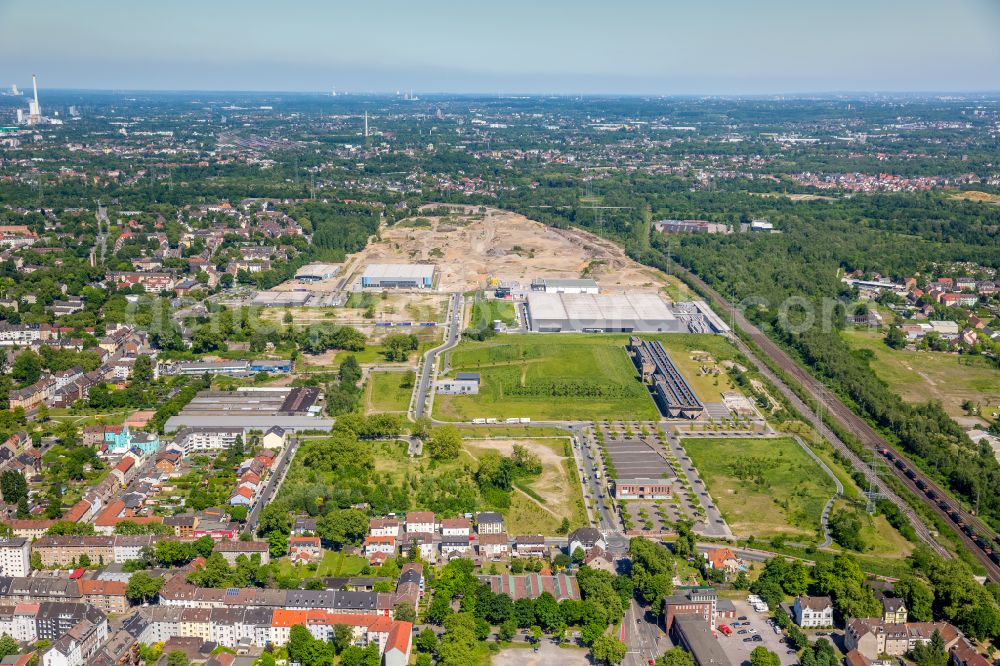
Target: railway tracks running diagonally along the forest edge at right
966	526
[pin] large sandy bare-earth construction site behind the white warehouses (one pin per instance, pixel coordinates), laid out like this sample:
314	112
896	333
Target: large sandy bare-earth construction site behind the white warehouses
470	247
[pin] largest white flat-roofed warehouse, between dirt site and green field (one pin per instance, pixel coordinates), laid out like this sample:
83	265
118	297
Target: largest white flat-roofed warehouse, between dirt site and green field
600	313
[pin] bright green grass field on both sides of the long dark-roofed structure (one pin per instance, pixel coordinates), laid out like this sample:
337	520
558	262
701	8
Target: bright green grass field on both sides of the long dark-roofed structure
572	376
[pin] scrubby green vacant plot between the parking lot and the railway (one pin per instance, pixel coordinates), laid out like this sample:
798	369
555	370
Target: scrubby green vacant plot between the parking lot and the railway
764	487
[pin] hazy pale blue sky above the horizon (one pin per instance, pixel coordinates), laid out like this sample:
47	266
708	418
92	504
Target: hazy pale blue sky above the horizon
560	46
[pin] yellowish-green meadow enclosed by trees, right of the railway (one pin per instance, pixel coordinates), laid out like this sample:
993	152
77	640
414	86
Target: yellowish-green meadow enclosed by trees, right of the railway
923	376
